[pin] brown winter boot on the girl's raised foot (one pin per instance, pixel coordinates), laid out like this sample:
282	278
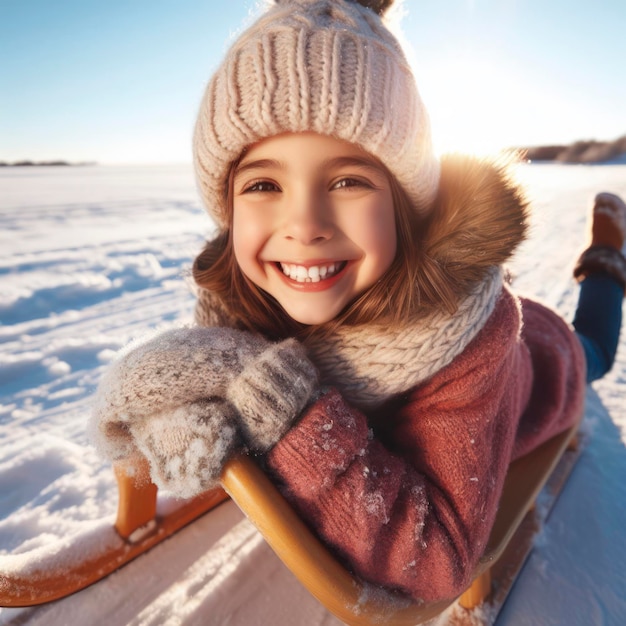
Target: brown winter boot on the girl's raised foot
608	233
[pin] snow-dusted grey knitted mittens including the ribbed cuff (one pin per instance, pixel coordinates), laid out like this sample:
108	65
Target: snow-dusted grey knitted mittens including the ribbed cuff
167	400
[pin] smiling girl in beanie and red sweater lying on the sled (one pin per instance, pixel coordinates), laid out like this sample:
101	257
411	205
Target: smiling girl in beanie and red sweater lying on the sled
354	328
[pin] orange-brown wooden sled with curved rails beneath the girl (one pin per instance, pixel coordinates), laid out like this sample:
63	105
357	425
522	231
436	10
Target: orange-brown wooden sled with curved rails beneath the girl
139	527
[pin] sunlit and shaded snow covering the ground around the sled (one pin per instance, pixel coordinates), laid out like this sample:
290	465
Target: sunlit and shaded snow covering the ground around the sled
94	257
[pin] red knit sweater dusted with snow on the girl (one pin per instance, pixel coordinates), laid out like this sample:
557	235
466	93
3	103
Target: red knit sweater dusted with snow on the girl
407	497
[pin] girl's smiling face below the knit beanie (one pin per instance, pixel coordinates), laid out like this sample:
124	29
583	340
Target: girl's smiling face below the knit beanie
313	222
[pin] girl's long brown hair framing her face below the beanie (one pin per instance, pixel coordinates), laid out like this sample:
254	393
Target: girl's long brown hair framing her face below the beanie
405	290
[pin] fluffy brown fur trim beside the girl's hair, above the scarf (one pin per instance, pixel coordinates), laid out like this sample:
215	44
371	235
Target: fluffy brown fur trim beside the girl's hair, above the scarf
479	218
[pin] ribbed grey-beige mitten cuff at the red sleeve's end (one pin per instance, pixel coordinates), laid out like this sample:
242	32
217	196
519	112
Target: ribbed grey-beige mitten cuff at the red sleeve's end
271	392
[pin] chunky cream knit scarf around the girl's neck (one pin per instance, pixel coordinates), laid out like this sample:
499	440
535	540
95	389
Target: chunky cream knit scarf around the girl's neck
370	364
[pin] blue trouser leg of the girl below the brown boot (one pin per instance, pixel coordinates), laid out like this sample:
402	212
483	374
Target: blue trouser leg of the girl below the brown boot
598	321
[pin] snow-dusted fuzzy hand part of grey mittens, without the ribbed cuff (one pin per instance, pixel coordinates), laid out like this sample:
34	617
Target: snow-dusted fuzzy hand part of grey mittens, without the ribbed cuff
164	399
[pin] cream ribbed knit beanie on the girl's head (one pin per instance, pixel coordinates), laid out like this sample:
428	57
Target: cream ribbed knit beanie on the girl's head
326	66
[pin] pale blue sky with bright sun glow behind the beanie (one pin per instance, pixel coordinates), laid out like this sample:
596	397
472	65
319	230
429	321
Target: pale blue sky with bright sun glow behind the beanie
120	81
